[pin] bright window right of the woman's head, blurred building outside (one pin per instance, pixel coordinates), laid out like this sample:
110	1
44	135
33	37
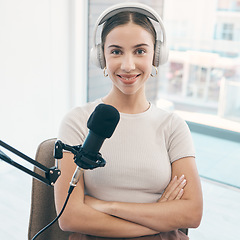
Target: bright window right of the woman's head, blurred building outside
204	58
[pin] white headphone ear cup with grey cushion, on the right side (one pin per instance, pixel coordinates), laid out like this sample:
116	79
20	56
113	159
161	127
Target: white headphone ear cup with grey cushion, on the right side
160	54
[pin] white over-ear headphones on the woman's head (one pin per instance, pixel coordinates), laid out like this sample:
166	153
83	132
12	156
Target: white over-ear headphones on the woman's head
161	50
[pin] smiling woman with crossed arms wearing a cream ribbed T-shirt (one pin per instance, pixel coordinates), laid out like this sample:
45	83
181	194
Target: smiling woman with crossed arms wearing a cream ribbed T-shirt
150	184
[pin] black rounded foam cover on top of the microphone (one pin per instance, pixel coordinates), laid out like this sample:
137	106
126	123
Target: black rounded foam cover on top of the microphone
103	120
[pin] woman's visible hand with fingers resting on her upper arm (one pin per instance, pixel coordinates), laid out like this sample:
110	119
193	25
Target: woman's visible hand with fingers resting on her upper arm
174	190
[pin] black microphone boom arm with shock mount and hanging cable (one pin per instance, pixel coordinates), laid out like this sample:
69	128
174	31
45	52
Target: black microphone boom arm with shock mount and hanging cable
83	159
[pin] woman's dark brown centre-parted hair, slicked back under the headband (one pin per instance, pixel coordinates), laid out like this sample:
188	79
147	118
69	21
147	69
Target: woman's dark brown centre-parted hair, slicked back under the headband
123	18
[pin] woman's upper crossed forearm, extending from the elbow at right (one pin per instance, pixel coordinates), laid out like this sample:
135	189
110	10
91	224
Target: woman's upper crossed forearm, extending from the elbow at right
161	217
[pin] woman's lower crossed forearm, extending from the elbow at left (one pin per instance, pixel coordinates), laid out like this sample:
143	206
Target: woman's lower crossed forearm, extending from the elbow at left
89	221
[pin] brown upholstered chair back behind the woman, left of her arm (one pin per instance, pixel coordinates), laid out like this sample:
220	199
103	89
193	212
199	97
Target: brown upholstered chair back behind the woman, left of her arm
42	203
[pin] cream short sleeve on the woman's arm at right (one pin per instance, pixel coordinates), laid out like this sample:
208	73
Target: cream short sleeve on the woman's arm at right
180	143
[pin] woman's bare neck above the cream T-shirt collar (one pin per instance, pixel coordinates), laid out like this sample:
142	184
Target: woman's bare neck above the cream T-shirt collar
131	104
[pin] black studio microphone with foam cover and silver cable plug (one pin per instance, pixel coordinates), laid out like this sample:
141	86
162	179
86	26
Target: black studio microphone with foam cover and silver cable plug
101	123
